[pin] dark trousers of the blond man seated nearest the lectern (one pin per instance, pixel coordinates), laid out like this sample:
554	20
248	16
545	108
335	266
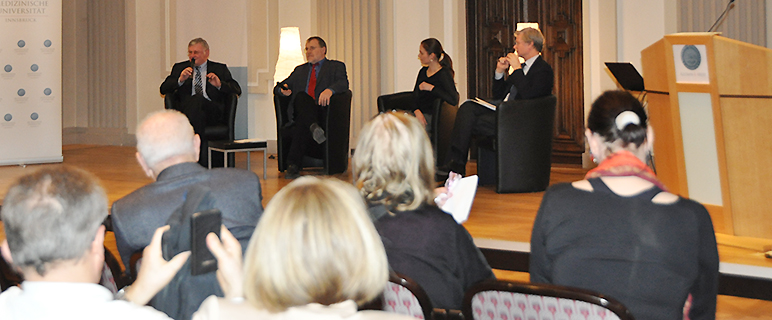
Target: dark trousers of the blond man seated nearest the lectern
471	119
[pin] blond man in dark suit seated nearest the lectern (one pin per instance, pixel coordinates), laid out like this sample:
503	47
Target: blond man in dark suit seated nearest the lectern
532	79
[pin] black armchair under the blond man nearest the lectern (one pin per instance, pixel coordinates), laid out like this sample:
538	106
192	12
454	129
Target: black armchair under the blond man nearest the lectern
518	158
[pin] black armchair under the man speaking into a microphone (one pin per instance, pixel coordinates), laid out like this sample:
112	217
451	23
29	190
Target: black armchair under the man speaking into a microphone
222	132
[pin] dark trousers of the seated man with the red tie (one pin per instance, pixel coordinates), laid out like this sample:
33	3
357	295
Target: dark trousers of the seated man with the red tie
306	112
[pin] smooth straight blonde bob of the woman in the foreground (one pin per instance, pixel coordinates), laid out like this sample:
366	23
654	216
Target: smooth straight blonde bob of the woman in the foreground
315	243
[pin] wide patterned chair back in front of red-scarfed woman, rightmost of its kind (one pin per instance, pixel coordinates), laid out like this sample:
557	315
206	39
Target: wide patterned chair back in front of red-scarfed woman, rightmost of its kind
504	300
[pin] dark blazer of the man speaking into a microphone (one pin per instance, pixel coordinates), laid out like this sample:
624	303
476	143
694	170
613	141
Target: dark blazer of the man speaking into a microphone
228	84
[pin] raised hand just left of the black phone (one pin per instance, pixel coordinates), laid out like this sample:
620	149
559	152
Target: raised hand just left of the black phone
155	272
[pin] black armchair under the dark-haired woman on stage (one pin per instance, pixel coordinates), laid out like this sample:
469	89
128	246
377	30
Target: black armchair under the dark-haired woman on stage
443	118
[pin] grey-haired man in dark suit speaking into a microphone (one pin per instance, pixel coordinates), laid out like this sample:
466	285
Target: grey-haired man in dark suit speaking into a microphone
202	86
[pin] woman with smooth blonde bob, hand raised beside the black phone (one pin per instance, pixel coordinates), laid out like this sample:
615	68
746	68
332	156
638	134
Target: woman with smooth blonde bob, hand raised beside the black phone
314	255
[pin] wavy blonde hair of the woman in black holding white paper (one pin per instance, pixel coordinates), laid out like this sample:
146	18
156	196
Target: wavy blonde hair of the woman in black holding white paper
393	163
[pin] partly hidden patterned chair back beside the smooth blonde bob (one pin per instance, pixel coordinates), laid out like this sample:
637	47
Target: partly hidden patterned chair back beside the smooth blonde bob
404	296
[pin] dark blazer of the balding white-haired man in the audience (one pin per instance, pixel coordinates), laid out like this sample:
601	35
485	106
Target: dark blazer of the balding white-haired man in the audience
137	215
